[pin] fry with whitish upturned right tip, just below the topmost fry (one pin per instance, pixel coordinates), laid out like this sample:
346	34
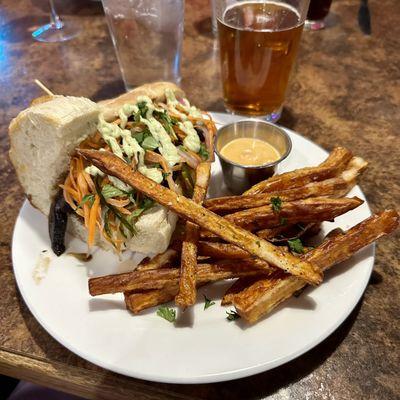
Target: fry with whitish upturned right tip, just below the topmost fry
333	187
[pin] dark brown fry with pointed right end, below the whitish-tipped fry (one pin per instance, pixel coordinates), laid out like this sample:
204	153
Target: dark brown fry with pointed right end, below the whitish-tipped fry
314	209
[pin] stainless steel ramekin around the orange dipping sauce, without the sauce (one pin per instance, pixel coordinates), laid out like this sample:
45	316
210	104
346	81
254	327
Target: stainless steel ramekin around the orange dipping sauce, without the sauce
239	178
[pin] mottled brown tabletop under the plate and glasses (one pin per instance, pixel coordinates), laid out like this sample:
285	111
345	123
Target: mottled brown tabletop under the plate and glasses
345	91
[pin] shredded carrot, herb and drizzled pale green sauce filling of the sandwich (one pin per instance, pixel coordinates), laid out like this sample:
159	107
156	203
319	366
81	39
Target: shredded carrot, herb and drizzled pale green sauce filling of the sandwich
165	141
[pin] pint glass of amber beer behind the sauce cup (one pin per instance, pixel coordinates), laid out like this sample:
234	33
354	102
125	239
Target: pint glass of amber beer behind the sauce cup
258	47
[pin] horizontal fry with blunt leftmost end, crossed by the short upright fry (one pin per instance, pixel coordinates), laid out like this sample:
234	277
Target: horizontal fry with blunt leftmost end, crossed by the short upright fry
160	278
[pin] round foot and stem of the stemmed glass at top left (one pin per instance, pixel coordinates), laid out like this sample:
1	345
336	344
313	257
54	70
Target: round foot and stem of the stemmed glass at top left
56	30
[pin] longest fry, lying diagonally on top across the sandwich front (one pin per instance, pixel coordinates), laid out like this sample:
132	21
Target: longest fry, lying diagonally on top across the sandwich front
186	208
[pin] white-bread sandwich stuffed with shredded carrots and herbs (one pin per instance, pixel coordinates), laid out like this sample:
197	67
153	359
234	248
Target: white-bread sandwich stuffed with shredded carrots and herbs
154	127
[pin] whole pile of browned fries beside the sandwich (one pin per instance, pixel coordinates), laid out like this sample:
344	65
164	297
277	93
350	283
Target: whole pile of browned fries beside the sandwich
254	238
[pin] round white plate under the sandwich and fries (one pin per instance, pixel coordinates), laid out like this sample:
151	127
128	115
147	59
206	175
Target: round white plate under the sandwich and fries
202	346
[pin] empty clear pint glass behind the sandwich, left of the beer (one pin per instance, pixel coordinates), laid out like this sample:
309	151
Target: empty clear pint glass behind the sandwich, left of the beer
147	37
